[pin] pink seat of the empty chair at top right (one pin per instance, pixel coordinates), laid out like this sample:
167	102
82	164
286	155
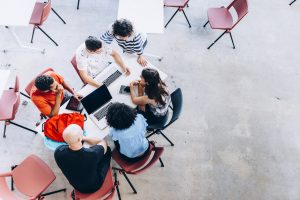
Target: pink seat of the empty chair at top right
220	18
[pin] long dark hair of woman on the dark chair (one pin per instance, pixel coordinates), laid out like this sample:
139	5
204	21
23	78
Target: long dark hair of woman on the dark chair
155	88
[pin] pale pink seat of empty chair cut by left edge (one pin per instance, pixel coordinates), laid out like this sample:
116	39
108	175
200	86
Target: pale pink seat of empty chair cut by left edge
6	104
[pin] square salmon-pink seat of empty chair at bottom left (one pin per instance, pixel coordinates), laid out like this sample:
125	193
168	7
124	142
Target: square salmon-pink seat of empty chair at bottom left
32	176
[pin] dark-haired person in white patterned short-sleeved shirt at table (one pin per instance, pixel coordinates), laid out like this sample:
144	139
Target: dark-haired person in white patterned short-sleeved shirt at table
92	57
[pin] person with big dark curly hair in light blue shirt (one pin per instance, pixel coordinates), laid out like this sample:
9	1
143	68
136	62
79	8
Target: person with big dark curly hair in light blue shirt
127	131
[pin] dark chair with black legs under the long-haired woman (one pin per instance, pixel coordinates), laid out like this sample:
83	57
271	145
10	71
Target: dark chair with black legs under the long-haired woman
176	98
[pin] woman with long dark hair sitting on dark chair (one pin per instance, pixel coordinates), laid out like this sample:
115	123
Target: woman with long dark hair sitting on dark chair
153	98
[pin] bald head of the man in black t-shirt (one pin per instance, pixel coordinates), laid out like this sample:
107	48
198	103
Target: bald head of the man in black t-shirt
72	134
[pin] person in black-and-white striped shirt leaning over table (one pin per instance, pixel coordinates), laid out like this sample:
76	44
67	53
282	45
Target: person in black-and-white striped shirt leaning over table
127	37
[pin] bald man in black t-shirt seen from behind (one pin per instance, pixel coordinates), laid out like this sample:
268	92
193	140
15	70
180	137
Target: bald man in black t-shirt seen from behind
85	168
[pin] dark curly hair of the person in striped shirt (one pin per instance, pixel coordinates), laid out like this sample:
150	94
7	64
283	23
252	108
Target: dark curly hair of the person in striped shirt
122	27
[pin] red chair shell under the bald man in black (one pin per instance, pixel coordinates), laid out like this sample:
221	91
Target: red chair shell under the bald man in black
106	189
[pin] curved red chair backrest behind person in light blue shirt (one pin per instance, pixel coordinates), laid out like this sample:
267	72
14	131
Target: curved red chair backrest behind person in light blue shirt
140	166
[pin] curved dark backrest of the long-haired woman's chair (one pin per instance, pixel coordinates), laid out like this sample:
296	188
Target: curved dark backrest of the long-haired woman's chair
176	98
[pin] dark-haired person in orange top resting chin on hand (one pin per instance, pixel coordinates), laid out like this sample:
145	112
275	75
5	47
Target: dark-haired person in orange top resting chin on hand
48	93
